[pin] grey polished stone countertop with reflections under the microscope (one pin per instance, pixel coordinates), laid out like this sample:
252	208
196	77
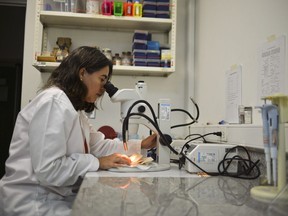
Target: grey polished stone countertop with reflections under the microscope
170	192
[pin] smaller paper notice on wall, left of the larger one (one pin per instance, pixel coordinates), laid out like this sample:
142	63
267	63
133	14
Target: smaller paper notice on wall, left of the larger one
233	93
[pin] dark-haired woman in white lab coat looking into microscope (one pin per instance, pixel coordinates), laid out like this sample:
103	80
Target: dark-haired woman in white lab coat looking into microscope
53	145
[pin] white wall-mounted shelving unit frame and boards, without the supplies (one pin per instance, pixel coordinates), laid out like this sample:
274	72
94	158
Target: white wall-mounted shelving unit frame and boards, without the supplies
66	23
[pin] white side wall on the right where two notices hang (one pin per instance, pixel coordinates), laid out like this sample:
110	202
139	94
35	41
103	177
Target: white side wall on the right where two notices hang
229	32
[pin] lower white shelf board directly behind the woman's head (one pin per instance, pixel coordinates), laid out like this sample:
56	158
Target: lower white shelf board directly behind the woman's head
47	67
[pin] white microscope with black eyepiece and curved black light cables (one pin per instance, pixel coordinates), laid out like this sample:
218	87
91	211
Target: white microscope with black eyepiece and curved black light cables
133	113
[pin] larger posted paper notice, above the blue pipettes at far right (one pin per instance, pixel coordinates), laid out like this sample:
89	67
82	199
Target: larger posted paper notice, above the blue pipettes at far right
272	78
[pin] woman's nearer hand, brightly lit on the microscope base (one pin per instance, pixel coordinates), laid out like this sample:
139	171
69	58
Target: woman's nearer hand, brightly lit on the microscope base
114	160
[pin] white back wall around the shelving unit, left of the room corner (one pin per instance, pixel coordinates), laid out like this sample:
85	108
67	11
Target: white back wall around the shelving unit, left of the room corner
173	87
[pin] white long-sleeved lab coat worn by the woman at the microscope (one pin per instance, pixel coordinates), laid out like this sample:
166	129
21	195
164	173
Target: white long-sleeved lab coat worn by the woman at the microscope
47	156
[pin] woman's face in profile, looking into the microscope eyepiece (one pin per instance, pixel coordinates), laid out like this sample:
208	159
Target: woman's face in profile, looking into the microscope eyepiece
95	83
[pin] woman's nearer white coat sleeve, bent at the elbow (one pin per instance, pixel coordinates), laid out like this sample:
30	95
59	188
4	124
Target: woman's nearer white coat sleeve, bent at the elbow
49	131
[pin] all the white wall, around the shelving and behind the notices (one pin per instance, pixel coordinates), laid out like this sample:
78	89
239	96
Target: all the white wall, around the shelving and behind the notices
227	32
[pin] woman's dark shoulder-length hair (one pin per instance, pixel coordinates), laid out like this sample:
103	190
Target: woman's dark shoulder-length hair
66	75
